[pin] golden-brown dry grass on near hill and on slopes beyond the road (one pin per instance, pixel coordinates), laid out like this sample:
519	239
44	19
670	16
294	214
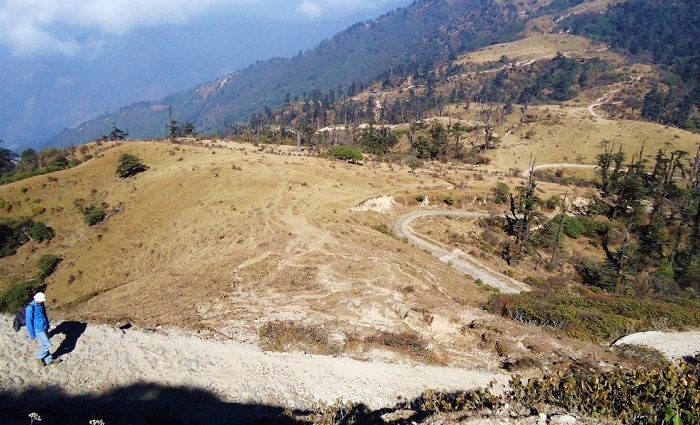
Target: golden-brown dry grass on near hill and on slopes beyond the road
265	244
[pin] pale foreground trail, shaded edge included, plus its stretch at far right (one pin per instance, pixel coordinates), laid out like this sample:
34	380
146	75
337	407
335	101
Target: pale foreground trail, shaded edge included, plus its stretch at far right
239	377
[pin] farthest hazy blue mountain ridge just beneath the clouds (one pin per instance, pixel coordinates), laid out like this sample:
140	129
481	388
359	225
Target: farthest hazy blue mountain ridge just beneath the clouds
44	94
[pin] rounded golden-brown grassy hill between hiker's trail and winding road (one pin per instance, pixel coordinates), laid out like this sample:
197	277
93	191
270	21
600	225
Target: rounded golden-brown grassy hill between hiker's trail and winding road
232	236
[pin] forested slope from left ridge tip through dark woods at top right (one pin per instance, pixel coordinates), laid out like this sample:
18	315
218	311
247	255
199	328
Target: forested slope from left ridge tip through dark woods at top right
432	34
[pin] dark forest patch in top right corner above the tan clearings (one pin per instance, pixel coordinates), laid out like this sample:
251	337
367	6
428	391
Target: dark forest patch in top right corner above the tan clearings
663	32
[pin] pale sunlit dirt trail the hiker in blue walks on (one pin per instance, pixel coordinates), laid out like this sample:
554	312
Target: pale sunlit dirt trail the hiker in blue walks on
101	358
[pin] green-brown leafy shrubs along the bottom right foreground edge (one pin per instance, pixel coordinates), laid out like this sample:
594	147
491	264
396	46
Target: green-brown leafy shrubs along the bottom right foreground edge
659	395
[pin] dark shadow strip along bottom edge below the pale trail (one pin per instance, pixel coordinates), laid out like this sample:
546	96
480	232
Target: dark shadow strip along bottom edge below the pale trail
151	404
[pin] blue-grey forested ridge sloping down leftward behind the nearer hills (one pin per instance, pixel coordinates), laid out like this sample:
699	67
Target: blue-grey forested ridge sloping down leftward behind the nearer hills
415	37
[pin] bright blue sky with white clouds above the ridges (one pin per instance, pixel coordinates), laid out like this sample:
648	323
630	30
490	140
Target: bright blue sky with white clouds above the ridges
78	27
